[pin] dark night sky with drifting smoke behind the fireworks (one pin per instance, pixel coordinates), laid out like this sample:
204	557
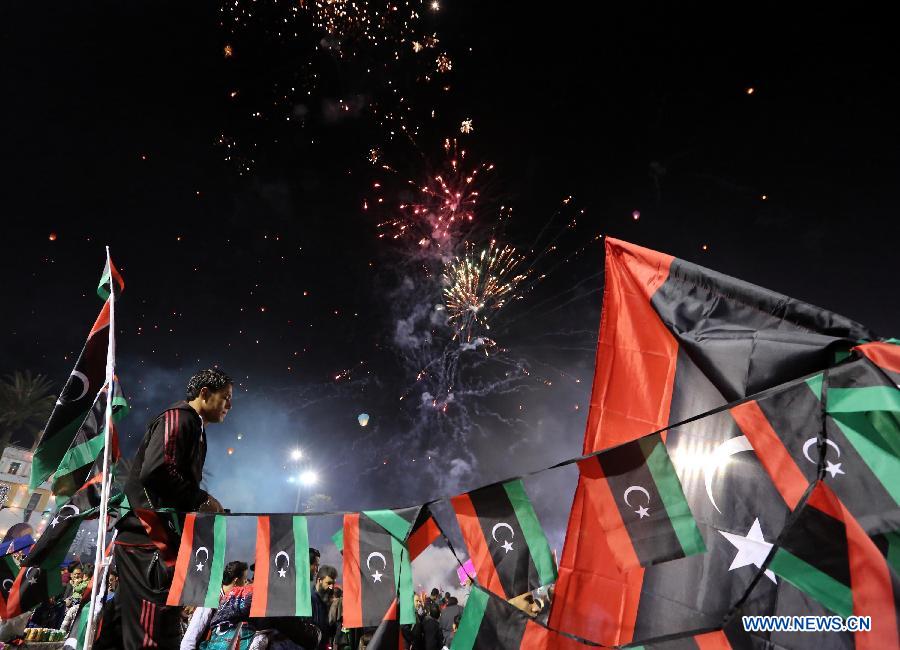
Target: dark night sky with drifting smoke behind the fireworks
760	143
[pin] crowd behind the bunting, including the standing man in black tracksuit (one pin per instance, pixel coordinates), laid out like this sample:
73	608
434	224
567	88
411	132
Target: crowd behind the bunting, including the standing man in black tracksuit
166	474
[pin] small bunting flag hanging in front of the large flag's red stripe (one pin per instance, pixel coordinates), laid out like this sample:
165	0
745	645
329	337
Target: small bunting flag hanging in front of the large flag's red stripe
643	509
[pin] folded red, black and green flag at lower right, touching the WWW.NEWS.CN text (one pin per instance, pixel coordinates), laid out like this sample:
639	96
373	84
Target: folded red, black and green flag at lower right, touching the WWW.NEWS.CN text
825	553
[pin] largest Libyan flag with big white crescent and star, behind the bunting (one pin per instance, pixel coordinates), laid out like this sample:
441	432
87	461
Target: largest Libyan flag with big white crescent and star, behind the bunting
677	340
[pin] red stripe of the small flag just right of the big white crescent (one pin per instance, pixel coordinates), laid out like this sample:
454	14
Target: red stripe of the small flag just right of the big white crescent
772	453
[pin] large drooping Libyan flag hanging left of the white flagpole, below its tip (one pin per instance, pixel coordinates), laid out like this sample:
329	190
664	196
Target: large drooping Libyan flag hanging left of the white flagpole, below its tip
74	402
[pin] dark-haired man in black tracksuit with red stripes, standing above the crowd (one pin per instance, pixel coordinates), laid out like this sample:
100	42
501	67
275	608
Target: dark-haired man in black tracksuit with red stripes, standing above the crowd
167	472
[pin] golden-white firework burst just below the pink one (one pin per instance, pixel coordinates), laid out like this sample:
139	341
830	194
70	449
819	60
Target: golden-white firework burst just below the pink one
477	286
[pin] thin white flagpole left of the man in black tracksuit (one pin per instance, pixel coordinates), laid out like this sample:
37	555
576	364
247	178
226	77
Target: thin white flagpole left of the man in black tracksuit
100	558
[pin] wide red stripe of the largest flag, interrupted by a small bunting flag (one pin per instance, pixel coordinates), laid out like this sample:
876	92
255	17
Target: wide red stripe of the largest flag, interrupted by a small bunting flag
631	396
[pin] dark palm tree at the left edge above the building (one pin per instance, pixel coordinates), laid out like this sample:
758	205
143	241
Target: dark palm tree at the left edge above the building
25	403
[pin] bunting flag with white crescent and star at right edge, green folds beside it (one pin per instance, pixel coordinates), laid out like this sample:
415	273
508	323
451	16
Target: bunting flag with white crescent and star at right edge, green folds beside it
844	424
